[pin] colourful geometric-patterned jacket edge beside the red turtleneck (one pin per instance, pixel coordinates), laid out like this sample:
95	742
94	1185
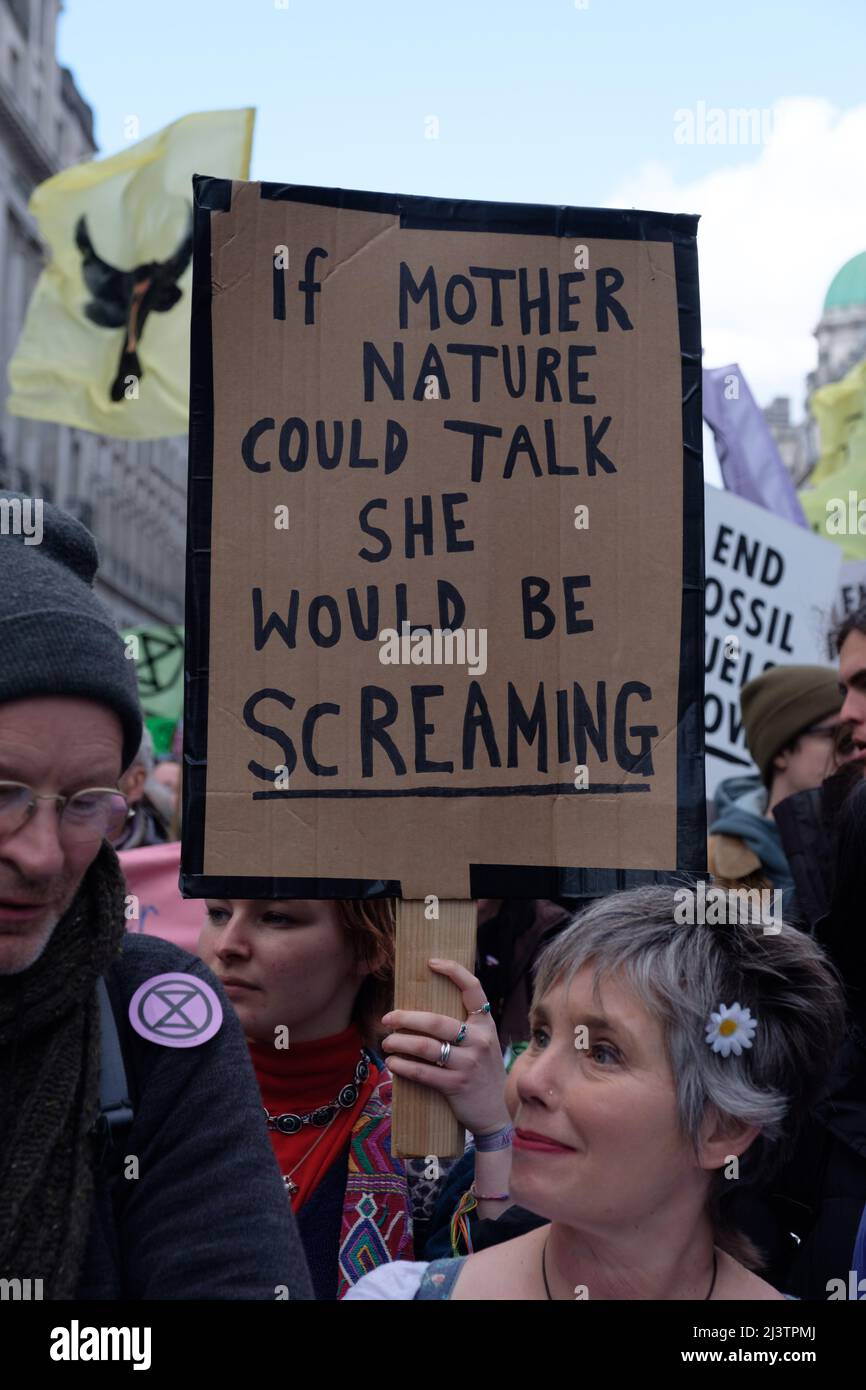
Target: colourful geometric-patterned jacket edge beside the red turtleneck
377	1213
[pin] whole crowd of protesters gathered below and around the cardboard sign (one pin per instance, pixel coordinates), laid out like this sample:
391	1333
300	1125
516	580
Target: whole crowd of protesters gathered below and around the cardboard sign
654	1110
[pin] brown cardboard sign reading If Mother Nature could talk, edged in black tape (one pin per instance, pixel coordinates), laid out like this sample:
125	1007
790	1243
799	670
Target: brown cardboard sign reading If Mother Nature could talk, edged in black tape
446	580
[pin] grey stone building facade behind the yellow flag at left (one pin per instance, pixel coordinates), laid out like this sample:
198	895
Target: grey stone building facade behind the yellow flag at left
133	496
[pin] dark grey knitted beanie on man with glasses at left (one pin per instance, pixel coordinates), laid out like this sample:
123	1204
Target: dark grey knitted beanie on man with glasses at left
56	637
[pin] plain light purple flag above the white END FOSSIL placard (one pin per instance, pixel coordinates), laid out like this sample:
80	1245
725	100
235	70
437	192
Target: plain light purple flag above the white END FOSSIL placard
751	465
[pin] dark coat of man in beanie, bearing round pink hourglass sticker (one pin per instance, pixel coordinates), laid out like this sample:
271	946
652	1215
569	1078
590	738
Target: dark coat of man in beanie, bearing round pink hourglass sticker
208	1216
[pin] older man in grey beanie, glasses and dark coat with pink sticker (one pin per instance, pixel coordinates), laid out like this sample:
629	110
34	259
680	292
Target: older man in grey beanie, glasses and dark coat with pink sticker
99	1025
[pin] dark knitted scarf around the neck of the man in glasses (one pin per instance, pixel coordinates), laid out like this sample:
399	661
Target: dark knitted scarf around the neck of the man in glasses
49	1088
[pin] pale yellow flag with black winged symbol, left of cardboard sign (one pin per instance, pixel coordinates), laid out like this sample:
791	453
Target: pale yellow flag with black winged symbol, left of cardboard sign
106	340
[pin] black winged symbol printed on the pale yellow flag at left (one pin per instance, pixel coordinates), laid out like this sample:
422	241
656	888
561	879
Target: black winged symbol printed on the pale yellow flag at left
124	298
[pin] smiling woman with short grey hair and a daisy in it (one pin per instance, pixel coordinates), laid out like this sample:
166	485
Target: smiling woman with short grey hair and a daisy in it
667	1063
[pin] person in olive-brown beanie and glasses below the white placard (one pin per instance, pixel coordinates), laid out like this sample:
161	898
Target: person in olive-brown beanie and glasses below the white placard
793	729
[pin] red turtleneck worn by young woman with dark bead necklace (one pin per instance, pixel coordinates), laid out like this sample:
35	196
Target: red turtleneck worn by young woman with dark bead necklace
301	1079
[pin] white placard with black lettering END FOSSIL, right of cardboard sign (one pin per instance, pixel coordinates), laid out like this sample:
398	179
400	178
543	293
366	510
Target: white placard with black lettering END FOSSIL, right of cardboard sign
771	589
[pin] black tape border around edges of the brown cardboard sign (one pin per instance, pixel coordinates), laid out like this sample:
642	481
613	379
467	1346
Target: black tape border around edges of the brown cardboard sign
213	195
